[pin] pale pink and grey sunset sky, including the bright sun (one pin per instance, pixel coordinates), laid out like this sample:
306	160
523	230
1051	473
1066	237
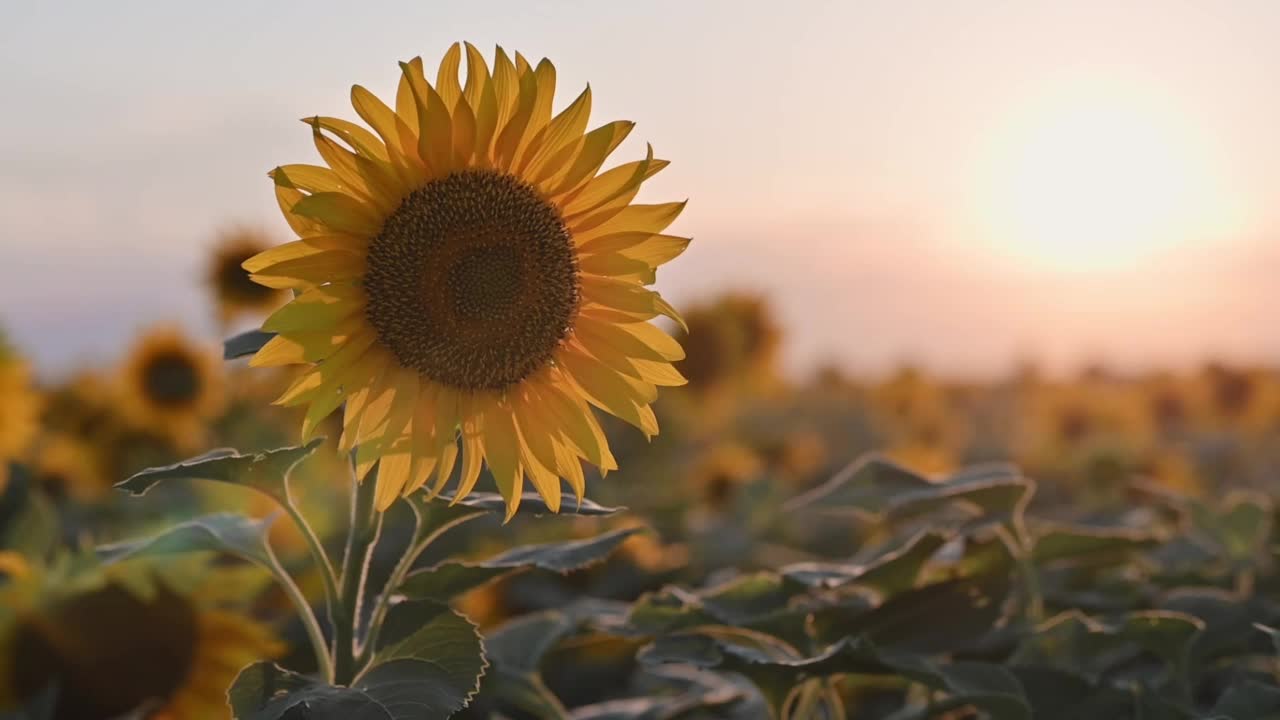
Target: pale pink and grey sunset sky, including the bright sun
964	186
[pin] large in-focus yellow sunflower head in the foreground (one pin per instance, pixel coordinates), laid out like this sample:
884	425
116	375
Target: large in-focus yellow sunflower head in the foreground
470	268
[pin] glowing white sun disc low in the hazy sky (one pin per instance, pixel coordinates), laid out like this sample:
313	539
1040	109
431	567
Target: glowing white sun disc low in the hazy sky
1100	181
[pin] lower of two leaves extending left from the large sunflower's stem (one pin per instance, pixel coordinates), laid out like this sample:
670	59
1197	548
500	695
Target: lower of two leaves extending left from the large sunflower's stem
222	532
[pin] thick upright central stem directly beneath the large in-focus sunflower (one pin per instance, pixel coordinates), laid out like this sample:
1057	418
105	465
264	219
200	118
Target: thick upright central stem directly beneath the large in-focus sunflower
362	539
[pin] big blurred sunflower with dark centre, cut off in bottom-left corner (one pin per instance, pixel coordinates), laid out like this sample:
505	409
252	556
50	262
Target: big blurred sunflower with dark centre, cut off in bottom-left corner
117	645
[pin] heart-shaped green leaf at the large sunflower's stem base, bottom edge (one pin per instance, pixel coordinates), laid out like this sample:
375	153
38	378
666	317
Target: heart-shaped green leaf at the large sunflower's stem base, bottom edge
401	690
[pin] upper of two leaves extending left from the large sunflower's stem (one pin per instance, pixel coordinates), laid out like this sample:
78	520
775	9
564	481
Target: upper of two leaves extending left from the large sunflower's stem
264	472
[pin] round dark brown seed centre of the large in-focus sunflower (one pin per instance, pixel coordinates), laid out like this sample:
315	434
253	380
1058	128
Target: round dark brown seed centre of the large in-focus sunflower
473	281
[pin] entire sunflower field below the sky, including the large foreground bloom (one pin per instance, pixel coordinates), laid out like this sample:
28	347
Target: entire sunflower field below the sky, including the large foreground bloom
468	463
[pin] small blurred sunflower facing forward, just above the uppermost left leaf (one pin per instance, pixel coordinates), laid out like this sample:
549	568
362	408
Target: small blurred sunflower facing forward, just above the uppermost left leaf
171	388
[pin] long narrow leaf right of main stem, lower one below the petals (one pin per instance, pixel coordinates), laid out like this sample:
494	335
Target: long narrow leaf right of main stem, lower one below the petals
449	580
